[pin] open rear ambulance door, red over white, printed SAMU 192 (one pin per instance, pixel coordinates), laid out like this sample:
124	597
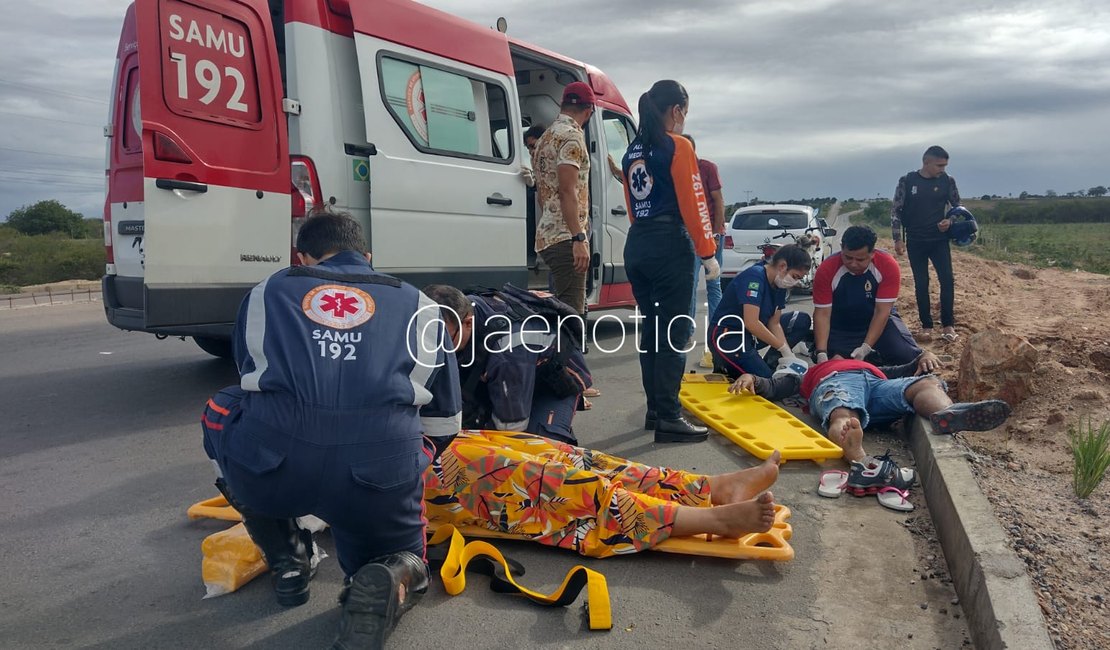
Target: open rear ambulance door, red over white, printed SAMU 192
216	160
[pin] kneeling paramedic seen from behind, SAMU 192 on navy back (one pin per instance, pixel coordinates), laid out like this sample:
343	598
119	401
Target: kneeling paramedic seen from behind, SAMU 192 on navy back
344	374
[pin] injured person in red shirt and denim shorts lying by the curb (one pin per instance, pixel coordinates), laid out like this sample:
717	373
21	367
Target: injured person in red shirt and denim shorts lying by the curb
850	395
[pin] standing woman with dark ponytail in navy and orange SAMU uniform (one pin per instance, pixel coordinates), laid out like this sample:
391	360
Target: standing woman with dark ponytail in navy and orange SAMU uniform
671	225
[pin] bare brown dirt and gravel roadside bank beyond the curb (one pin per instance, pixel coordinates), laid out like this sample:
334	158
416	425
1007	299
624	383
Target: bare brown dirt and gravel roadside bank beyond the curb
1025	466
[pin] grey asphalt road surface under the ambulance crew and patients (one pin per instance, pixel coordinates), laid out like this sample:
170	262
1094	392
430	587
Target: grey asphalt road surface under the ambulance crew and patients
100	455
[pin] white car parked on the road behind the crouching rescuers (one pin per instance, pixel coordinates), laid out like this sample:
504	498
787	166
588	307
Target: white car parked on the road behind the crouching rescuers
755	227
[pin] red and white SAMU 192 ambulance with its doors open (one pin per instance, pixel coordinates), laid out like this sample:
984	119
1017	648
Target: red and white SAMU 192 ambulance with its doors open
230	119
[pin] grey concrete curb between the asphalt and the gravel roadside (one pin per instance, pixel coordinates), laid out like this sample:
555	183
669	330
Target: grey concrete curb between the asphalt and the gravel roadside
994	587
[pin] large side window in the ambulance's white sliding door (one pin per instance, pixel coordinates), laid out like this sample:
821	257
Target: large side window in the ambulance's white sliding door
445	113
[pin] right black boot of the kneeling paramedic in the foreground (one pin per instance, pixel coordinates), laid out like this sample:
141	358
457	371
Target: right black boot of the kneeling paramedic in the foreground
376	600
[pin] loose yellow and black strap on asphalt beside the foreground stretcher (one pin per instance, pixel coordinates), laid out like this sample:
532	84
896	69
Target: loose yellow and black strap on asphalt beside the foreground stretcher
460	554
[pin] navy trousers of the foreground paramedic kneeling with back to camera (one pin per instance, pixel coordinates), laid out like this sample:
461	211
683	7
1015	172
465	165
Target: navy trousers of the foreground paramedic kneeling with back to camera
371	494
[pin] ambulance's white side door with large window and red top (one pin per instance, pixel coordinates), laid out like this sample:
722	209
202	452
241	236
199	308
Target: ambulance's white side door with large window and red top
448	202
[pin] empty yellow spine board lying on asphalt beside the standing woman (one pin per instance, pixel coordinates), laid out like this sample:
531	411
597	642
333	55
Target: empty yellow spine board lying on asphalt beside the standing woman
756	425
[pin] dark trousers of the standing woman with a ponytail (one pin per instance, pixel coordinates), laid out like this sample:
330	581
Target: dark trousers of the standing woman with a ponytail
660	262
